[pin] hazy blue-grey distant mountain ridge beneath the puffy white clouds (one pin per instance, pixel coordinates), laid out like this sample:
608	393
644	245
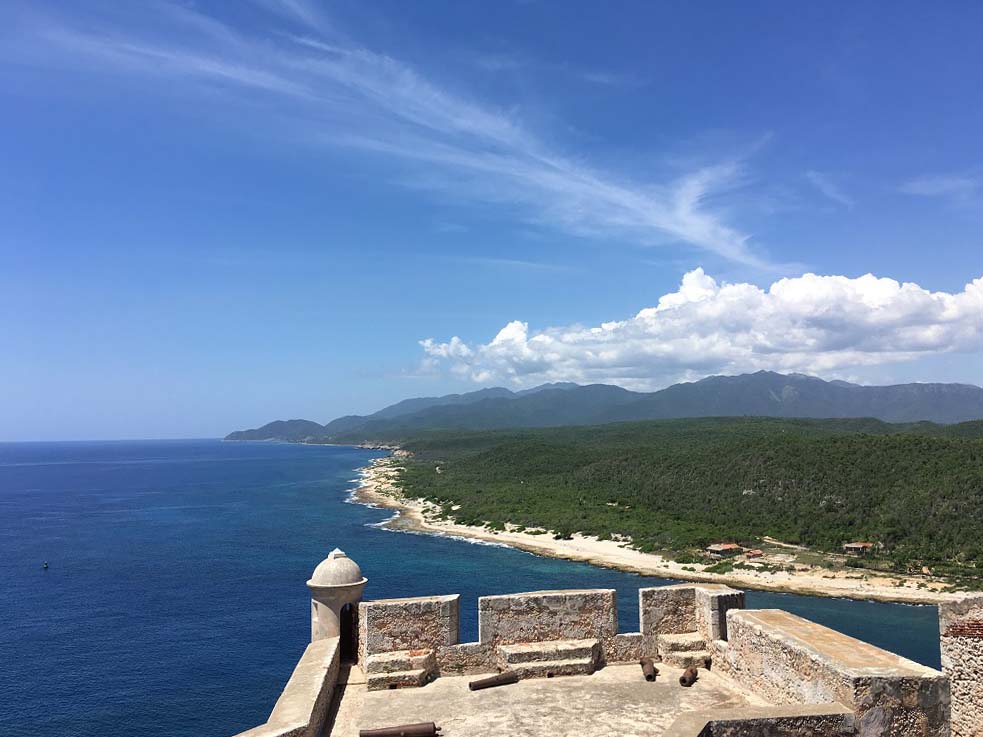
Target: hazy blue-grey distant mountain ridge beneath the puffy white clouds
762	394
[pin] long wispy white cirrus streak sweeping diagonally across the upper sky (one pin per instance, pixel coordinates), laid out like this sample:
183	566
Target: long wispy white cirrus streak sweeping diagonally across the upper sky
358	99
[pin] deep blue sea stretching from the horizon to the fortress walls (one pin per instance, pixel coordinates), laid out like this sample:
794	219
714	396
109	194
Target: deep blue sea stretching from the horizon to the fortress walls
174	602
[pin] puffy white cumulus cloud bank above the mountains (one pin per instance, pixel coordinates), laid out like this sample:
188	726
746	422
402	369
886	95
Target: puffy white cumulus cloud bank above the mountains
821	325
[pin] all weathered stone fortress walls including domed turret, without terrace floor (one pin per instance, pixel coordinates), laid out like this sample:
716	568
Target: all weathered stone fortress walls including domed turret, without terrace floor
817	681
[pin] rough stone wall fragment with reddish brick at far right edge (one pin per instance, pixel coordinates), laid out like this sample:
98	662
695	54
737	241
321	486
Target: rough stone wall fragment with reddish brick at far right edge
961	630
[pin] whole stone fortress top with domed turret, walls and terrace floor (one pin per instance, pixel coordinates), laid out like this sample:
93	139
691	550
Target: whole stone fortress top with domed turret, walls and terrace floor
763	672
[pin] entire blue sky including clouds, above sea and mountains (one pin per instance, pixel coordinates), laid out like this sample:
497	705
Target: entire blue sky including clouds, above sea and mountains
217	214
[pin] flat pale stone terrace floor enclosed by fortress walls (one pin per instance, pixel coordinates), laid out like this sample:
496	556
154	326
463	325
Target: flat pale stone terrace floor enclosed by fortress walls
614	701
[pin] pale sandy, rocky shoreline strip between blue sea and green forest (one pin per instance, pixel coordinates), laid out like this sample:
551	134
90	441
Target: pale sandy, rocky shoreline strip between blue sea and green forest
378	487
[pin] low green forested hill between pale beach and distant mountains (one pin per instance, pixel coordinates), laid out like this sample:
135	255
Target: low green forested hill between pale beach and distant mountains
918	489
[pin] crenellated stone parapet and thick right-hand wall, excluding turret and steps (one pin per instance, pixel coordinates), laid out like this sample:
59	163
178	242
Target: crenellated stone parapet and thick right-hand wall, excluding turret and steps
784	658
